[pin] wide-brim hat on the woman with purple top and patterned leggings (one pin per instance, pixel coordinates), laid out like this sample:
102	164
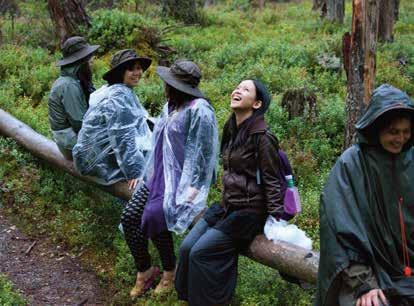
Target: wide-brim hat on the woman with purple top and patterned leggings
184	76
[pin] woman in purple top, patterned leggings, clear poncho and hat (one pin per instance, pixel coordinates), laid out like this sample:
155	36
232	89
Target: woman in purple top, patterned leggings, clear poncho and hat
178	176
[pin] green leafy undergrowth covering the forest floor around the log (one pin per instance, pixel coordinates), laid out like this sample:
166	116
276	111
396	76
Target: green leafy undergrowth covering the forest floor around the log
287	45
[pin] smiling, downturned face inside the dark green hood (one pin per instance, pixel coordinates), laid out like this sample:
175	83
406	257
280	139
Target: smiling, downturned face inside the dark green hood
394	137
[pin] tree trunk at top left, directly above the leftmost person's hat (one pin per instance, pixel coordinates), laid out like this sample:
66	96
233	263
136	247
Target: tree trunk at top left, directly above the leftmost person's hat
69	17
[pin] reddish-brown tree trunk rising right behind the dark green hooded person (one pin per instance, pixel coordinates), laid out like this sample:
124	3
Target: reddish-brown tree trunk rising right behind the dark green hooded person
359	50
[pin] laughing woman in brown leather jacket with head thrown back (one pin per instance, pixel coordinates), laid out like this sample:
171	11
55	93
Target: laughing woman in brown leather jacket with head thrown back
207	269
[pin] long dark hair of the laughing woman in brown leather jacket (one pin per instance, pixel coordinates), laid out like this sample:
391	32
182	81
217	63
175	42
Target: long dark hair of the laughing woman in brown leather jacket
237	135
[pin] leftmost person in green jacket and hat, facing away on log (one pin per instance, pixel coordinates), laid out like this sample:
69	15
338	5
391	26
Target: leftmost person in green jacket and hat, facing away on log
68	99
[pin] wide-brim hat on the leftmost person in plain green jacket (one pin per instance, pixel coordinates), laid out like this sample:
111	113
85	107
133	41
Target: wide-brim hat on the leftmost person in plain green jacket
74	49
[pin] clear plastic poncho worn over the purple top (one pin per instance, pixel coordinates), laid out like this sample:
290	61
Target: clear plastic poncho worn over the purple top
187	178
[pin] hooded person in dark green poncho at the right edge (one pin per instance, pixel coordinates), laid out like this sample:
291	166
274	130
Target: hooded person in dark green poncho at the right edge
367	211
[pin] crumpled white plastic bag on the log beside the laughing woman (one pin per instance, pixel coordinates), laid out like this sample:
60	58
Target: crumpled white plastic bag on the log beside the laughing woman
283	231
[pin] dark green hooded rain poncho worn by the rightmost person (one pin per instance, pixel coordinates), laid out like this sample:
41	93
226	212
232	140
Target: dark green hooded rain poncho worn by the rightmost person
359	215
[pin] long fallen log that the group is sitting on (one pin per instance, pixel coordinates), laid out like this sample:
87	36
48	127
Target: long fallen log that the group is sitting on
285	257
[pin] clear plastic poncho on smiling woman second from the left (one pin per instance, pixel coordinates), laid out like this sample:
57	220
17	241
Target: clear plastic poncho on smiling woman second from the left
114	137
